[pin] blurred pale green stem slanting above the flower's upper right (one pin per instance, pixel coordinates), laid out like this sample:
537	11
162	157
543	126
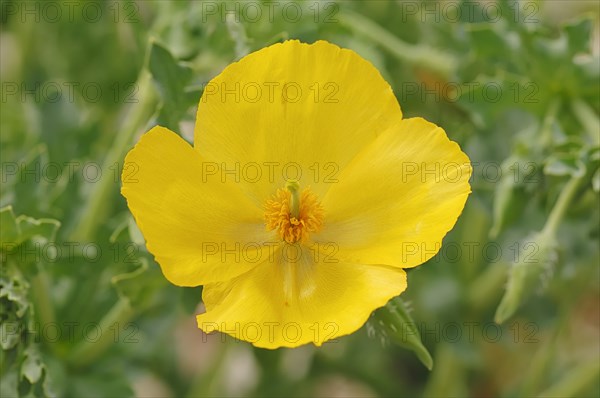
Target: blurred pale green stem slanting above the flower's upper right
418	55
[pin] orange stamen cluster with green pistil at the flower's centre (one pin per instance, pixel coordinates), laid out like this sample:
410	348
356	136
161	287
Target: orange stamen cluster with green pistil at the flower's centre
294	214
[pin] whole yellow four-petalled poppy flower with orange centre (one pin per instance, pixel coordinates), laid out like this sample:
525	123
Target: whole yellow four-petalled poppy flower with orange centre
305	196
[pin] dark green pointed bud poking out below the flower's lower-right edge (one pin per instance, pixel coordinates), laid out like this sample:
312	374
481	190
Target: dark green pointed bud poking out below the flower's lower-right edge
395	323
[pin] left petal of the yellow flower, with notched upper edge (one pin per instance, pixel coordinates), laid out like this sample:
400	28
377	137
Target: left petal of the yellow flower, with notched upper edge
200	231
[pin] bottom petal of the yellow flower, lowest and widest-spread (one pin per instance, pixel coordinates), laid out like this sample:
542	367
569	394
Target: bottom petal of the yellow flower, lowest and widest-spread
304	299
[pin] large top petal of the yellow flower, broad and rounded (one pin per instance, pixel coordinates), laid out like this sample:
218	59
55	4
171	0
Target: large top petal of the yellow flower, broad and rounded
292	110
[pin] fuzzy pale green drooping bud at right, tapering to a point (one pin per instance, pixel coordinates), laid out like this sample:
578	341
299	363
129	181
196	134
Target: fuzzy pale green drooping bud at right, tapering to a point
535	263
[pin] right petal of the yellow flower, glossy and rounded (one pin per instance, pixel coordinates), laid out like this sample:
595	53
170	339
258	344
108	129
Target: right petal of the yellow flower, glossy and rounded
397	199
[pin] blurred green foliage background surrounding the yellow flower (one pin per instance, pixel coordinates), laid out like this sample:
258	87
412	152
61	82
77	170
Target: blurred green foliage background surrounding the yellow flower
85	310
